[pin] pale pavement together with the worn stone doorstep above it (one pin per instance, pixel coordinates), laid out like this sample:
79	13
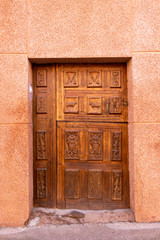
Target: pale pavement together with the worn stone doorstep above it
56	224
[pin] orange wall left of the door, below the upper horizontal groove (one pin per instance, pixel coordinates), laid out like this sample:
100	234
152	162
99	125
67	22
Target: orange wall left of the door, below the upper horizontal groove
15	140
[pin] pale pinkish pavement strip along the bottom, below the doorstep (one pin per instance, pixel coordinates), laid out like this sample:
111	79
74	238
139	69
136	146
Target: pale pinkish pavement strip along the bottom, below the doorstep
109	231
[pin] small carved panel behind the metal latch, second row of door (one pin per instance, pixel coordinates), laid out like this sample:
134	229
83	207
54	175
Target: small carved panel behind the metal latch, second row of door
115	105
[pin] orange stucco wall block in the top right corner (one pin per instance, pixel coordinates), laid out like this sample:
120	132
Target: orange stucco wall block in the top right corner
146	25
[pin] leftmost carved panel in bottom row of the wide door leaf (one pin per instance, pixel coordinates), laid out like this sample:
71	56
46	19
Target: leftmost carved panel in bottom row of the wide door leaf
72	182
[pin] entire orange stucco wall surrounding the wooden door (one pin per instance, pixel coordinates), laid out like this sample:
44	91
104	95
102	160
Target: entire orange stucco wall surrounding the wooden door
34	30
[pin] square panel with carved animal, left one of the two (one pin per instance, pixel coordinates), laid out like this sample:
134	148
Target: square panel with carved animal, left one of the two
71	105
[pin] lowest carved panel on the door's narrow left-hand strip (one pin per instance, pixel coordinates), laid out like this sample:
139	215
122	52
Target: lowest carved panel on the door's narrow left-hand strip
41	183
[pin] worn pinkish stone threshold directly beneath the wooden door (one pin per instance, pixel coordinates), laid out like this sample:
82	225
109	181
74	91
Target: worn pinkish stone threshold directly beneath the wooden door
41	216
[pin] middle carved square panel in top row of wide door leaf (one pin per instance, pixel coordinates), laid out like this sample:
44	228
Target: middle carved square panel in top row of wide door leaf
94	79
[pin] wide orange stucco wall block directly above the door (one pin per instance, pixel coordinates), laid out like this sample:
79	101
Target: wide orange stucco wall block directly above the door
79	29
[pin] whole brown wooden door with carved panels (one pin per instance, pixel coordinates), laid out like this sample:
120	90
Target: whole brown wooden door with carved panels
85	163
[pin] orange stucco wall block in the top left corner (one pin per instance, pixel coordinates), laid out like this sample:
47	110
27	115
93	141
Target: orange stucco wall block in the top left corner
13	22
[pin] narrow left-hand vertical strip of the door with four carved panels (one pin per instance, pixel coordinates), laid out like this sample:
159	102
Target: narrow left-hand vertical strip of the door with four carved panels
44	118
